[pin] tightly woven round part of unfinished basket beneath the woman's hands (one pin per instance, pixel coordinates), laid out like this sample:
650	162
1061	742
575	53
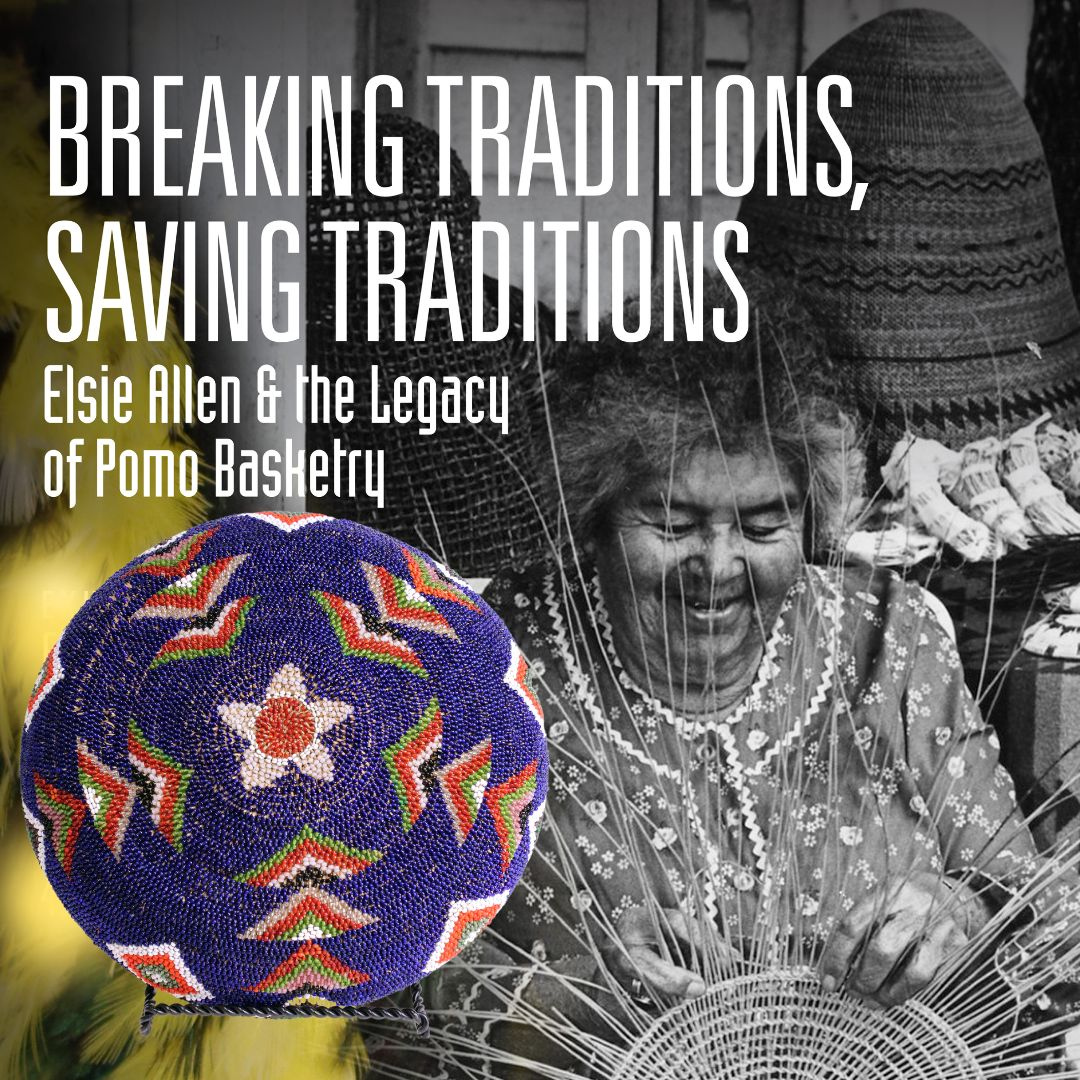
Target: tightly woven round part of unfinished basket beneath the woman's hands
784	1027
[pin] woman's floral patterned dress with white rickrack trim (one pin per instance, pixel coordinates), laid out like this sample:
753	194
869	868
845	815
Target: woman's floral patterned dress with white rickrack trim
857	758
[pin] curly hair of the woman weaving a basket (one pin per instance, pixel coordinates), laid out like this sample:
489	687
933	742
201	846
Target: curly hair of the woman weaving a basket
628	412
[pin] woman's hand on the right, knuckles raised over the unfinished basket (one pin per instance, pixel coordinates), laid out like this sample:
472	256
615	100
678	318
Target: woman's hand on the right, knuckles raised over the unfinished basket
894	943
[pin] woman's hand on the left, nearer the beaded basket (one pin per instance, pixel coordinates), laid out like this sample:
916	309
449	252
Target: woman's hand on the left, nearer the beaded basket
649	958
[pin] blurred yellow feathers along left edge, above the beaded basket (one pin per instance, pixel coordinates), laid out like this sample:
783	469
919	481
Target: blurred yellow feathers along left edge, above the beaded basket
53	557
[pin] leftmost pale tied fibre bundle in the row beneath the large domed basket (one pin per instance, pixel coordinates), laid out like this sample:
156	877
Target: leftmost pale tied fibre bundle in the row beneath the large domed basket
916	474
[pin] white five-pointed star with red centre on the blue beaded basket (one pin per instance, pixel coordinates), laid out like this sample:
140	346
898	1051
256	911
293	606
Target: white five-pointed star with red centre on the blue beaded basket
285	730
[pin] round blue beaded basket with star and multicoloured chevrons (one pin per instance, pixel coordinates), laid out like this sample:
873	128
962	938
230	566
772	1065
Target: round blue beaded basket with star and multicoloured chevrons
283	757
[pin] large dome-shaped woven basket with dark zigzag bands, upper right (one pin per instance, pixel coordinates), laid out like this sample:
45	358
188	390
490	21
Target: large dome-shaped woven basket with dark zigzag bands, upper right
946	299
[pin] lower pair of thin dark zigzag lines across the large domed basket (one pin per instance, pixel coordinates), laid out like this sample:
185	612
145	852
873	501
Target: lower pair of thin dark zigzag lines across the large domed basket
901	281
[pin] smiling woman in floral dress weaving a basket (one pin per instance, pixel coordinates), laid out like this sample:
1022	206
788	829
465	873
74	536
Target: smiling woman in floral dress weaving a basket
757	762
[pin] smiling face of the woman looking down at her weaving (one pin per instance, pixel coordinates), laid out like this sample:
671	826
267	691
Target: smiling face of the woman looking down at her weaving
695	570
